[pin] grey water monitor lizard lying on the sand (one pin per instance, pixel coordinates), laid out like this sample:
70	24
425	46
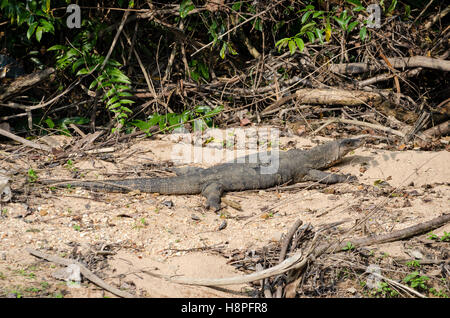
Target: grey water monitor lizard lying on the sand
294	165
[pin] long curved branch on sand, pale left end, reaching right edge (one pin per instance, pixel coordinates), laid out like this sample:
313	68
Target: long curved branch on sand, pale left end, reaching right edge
299	259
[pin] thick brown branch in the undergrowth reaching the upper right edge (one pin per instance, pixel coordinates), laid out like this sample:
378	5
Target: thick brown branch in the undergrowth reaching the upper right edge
396	62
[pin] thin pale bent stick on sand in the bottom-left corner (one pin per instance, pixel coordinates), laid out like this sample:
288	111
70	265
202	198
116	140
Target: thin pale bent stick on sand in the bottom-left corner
83	269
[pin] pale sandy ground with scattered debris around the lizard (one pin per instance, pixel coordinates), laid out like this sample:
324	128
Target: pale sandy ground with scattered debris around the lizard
163	235
